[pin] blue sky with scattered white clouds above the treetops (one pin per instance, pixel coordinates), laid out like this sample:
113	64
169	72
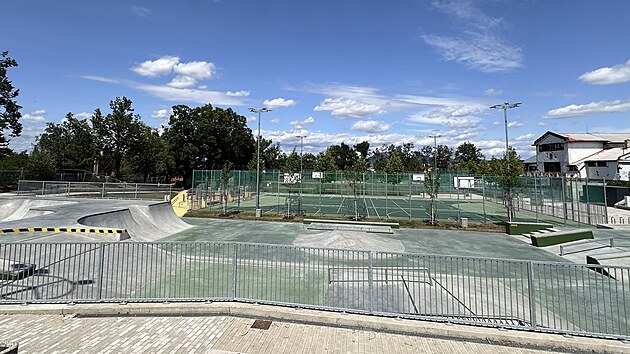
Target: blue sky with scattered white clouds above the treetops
334	71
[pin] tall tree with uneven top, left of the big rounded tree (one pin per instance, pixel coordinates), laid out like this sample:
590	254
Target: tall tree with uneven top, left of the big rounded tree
115	131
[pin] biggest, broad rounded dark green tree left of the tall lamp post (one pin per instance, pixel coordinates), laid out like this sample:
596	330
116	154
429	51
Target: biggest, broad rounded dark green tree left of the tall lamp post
205	136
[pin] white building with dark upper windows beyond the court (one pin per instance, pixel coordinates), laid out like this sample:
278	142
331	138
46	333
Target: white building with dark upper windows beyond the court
596	156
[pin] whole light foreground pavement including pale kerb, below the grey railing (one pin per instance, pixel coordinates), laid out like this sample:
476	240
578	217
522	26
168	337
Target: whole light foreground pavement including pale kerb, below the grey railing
206	328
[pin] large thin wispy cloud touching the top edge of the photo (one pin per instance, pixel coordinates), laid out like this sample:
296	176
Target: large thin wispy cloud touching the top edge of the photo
480	44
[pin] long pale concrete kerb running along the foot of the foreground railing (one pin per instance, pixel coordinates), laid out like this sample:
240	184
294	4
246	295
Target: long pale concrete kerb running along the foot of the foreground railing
520	338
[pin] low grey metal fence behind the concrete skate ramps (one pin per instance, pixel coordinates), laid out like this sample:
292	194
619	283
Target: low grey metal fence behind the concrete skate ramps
144	191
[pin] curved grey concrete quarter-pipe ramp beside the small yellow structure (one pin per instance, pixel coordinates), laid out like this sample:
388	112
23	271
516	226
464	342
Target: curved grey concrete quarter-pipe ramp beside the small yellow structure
142	222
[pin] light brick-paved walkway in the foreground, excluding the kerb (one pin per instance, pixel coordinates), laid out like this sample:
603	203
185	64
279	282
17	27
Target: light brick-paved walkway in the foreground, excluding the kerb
54	334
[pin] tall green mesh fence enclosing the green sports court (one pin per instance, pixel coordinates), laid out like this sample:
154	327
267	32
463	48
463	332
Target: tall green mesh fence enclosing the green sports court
562	200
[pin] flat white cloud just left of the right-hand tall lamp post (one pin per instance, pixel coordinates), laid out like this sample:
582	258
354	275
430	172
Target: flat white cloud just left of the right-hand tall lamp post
451	116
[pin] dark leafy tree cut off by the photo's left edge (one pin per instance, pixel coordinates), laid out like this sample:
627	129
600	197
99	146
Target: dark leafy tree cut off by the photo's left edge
9	109
